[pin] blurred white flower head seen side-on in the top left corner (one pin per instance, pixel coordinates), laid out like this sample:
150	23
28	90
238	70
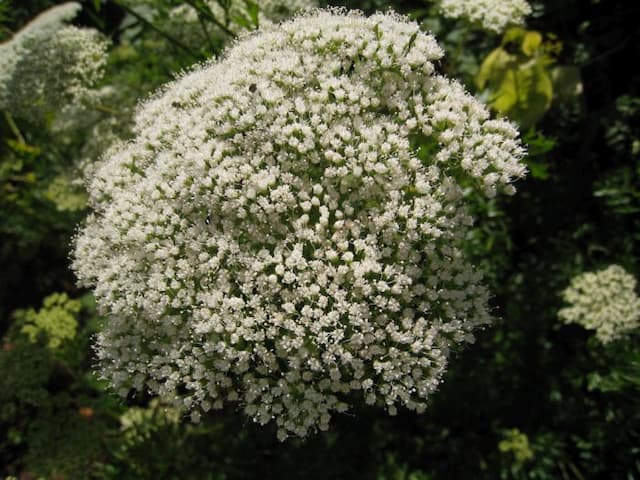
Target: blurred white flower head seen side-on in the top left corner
48	64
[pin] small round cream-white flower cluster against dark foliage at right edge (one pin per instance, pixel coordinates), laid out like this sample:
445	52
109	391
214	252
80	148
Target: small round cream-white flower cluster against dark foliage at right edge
604	301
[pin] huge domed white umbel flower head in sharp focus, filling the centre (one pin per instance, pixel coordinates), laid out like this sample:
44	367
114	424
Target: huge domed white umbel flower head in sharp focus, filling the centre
285	229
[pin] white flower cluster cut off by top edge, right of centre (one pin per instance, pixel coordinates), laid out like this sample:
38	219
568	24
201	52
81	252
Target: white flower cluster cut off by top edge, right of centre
492	15
